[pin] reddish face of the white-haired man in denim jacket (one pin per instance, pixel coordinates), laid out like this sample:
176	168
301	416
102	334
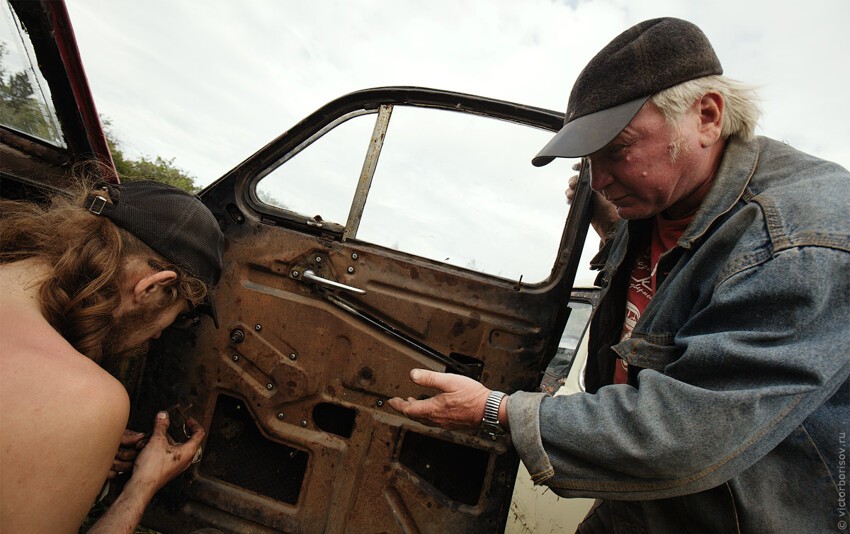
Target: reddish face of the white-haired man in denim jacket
636	171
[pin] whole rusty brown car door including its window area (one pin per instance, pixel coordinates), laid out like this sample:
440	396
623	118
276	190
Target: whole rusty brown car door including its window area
323	312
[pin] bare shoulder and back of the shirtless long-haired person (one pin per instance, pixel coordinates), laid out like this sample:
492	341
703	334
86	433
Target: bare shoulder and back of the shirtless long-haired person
62	417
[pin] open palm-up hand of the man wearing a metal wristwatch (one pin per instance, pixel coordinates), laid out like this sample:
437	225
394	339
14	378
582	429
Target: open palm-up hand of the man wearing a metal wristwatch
459	405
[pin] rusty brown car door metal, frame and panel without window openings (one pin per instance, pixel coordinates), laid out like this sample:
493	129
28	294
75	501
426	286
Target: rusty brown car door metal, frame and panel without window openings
404	491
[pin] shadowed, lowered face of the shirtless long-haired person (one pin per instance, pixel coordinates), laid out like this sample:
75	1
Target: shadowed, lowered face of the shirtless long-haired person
135	328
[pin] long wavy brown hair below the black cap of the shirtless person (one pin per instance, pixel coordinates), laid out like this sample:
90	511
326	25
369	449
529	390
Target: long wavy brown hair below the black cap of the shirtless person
89	256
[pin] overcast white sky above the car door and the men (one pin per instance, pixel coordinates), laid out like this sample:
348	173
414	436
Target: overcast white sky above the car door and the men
208	82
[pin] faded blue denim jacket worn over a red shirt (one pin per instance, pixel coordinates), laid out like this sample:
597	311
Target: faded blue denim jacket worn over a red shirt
737	411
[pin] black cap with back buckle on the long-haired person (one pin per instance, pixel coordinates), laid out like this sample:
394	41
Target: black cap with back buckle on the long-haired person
174	223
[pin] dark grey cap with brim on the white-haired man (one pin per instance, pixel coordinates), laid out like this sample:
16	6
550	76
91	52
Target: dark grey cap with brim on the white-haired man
645	59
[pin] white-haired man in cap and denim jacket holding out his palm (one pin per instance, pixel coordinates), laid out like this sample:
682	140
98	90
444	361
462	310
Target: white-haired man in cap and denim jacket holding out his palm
717	382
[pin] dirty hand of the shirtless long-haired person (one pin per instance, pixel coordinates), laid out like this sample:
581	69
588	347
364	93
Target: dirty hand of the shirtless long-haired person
161	459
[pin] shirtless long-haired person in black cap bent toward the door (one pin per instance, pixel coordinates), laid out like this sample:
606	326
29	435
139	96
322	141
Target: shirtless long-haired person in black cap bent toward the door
87	280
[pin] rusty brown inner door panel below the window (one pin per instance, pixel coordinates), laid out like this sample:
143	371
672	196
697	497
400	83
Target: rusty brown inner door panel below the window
314	447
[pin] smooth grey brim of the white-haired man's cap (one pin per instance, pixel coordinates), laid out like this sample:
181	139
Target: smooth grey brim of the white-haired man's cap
585	135
